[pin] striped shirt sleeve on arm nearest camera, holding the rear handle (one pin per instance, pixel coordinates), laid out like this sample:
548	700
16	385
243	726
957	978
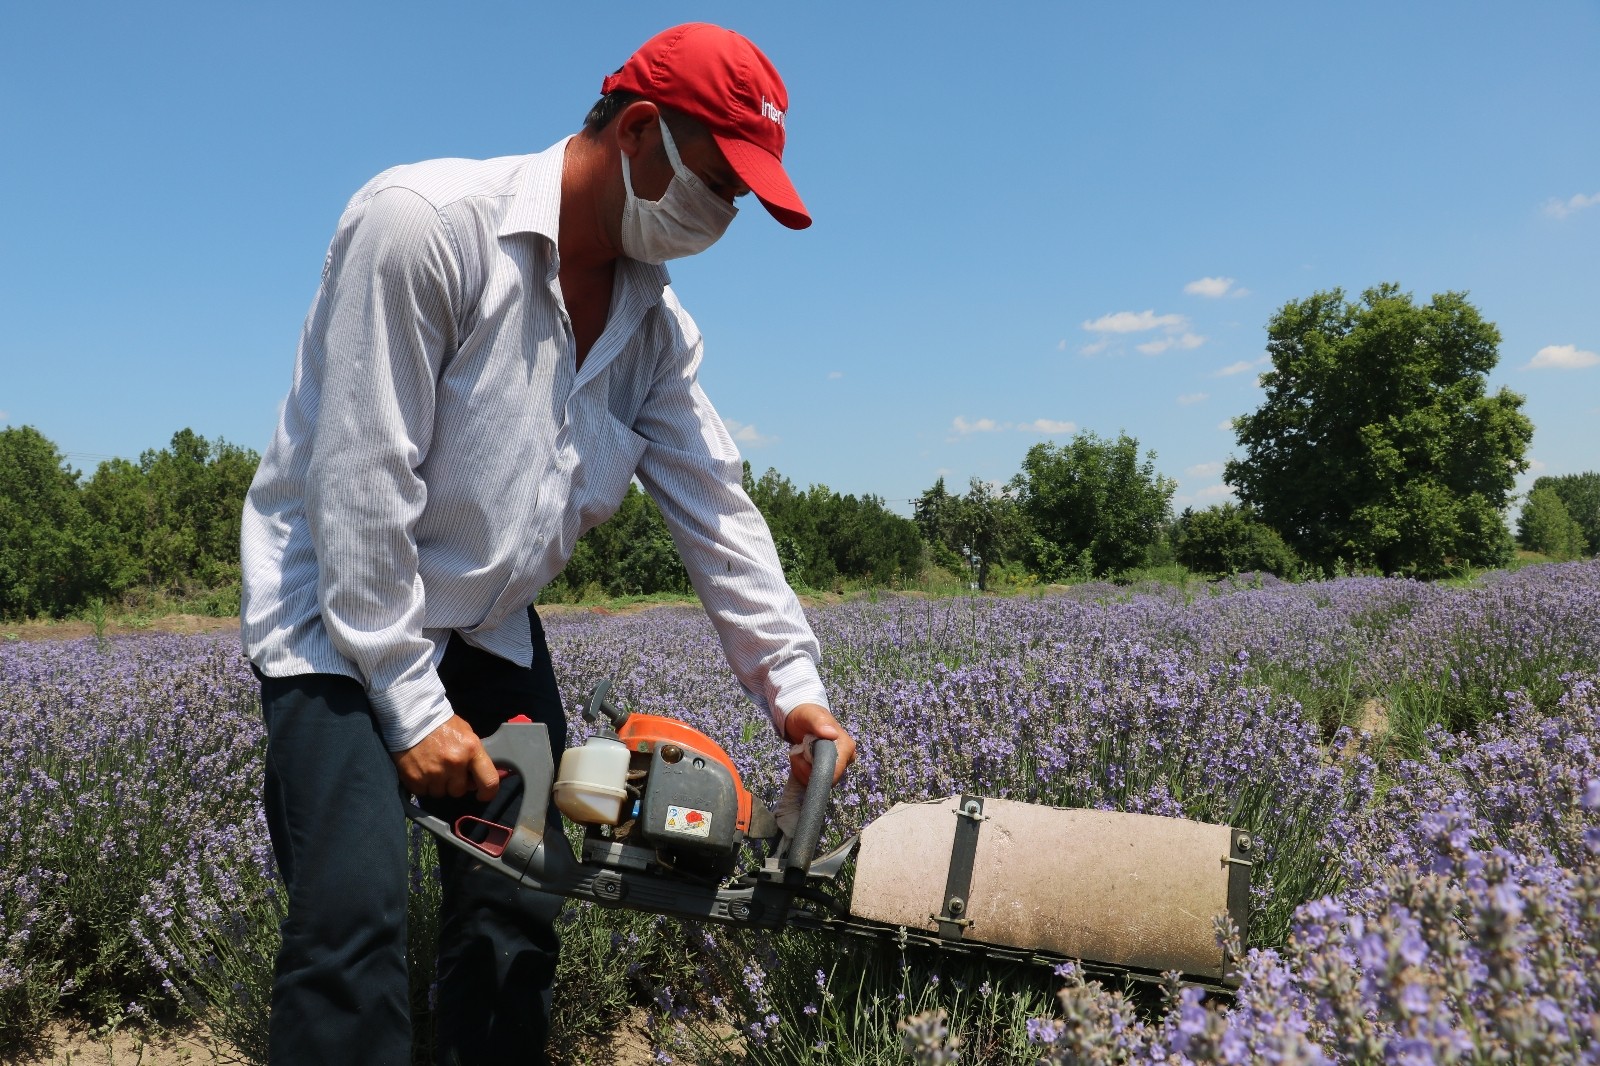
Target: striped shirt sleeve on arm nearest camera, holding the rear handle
385	327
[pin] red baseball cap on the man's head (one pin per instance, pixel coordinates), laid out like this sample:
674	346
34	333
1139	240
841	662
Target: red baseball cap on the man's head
726	82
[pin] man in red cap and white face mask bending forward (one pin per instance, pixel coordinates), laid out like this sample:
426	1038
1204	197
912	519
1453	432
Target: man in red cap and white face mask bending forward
492	356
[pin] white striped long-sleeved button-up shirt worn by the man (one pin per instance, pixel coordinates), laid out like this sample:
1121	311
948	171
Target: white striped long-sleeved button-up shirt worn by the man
441	452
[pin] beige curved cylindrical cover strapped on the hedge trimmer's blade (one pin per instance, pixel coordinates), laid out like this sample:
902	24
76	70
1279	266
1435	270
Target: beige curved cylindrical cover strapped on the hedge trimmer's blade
1130	891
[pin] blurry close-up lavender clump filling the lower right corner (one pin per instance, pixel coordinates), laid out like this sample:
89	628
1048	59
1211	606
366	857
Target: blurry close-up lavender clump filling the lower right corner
1473	937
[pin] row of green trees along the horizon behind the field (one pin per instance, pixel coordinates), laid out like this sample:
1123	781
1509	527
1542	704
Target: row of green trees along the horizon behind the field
1377	449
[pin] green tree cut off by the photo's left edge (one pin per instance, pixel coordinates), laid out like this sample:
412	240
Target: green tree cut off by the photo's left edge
44	543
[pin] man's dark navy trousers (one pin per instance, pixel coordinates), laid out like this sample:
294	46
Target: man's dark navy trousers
342	992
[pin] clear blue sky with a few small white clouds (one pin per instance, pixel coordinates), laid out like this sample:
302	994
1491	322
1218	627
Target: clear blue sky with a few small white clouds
1031	220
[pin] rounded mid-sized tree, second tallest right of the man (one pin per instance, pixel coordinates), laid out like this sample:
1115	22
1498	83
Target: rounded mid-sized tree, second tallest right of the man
1094	508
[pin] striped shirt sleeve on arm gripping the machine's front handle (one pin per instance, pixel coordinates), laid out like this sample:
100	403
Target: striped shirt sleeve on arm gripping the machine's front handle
695	475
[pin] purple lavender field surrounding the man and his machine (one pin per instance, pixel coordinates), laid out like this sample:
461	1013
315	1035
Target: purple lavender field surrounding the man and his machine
1420	761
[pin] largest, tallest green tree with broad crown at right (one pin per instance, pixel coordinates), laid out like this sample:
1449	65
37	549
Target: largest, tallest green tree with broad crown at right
1377	444
